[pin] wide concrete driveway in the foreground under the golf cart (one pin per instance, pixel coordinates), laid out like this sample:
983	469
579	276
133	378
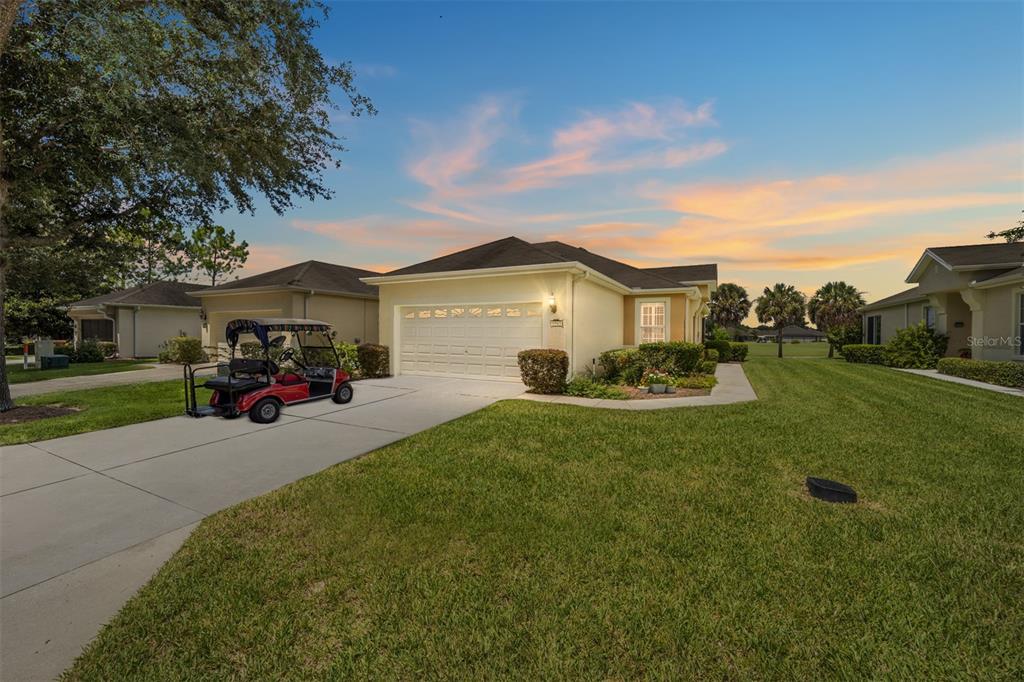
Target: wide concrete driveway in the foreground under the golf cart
88	520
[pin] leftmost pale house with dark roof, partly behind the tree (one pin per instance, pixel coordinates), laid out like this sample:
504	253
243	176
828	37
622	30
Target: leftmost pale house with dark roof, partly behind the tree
141	319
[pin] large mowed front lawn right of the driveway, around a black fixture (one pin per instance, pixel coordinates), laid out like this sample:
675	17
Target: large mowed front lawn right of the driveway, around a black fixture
533	541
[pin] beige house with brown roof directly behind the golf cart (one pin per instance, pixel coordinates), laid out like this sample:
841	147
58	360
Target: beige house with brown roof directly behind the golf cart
315	290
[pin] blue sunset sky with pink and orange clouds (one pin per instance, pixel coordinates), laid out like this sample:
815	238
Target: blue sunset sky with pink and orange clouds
792	143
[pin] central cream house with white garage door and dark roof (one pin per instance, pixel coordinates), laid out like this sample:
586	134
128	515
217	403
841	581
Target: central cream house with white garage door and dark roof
470	314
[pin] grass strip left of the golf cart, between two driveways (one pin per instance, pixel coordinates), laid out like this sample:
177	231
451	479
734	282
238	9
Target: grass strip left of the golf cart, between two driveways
102	409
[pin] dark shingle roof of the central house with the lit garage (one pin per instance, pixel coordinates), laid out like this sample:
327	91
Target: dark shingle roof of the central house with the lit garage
513	251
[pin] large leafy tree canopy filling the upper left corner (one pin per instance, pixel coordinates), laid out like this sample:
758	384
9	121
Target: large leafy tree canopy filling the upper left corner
182	109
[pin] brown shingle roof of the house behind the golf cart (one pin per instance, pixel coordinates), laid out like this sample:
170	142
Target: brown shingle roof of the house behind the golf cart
313	275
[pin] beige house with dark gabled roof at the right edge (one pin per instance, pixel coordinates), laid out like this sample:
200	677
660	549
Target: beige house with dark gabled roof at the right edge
973	294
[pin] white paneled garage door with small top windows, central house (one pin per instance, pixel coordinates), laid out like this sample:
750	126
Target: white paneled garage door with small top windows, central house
468	340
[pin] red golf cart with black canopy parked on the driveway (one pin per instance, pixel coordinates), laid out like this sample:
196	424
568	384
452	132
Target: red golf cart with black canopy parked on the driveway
262	387
